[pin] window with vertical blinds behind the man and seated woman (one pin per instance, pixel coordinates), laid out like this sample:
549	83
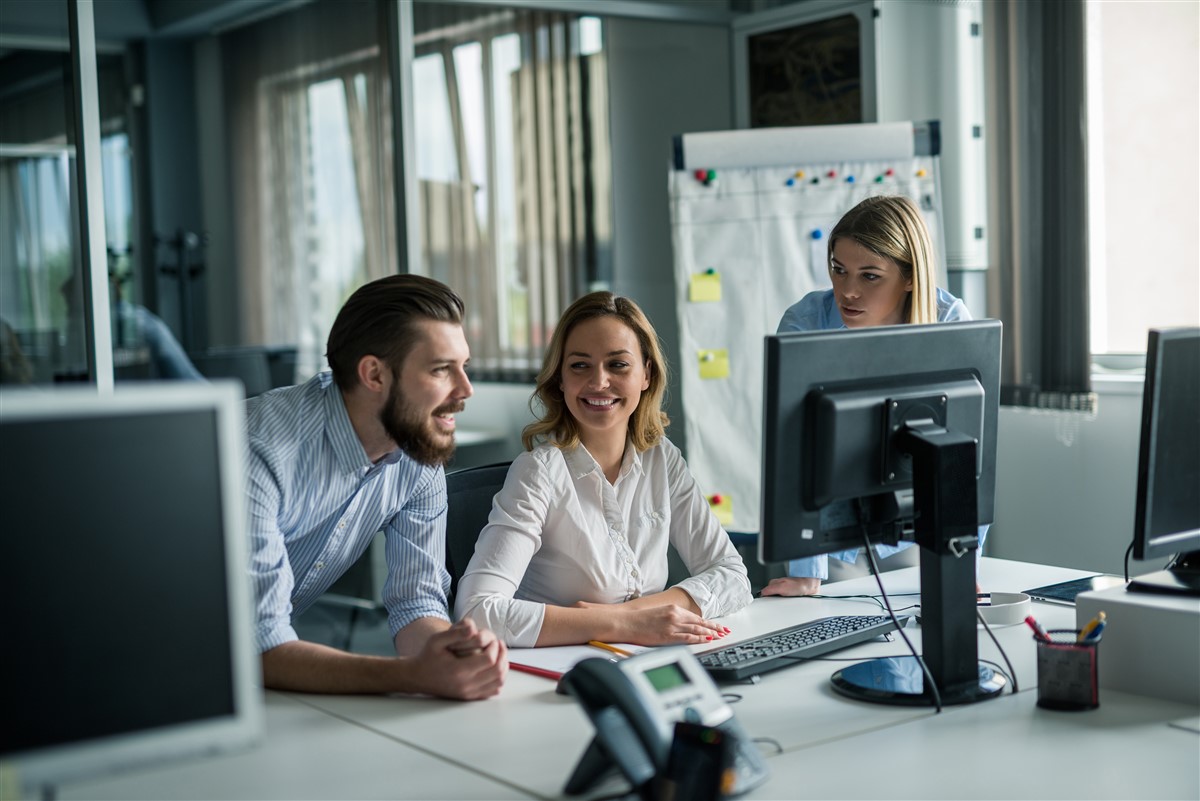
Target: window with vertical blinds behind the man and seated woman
514	170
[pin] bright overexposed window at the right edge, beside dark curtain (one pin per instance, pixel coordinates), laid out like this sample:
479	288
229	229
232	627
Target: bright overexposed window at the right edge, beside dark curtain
1144	162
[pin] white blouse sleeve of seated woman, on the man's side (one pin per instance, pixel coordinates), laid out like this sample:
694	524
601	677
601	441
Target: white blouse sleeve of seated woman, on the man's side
503	553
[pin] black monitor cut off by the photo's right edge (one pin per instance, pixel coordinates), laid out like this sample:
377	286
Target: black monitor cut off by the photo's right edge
1168	508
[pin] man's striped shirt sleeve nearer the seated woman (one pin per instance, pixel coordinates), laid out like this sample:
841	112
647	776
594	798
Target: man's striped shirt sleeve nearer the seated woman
415	549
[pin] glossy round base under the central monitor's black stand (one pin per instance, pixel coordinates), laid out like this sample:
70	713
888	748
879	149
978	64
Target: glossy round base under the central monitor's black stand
901	682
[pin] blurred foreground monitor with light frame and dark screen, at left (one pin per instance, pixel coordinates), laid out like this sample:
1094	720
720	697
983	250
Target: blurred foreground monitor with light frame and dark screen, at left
127	603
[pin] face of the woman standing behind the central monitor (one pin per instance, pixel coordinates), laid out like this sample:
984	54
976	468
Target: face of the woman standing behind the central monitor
869	288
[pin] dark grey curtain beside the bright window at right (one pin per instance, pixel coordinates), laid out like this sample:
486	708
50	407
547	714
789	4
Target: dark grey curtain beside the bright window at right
1039	179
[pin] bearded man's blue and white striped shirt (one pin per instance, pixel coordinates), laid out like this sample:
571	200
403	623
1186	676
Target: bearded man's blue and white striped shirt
316	503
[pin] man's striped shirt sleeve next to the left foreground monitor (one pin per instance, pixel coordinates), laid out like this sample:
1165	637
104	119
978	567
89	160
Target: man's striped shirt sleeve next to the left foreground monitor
269	568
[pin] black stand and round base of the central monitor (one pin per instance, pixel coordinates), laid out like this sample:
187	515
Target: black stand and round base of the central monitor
945	504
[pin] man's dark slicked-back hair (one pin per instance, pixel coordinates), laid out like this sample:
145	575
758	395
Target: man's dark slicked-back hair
381	318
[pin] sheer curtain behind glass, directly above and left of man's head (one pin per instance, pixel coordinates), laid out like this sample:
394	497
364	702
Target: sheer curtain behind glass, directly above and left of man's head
310	131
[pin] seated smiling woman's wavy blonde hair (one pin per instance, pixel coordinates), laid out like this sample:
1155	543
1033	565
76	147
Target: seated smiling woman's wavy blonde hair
555	424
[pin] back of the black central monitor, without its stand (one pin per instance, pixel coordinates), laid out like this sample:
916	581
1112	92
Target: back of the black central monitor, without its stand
835	403
